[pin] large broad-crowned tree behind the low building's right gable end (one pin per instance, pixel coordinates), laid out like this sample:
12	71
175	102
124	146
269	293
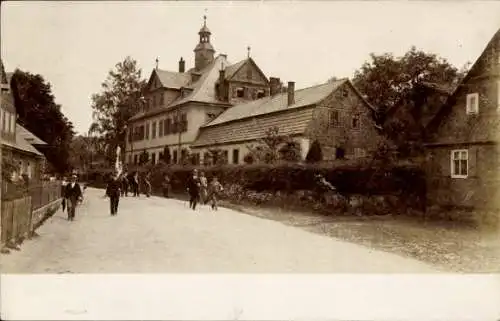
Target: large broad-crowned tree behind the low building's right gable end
394	83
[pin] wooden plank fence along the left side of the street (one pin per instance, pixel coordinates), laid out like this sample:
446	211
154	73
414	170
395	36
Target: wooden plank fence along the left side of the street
20	212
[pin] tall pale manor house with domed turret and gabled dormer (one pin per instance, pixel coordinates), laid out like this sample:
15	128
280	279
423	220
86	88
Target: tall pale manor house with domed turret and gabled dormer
178	103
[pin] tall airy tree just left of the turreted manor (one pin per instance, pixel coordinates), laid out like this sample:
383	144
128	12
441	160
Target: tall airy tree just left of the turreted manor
120	99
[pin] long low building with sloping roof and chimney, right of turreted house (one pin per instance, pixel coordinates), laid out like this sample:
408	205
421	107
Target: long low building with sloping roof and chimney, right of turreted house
335	114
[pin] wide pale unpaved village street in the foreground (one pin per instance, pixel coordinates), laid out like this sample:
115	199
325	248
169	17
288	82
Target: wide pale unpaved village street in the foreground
158	235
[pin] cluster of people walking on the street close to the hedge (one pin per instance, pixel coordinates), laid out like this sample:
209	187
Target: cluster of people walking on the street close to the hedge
200	190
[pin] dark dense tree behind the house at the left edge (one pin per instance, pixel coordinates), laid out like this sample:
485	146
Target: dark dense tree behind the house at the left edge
38	113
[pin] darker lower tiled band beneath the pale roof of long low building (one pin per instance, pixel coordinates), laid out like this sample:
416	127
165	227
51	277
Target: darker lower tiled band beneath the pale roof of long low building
289	123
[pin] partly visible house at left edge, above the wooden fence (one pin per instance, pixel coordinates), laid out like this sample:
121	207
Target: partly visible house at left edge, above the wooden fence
17	142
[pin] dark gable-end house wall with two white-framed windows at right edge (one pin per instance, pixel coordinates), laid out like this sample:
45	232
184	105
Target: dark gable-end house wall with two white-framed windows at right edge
463	147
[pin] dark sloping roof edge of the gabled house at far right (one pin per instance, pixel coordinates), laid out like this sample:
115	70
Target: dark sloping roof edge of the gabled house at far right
445	109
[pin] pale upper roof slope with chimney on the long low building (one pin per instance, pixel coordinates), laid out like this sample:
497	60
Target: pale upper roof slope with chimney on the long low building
270	104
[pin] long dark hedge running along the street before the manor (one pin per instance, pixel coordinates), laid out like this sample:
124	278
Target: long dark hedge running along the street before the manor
365	178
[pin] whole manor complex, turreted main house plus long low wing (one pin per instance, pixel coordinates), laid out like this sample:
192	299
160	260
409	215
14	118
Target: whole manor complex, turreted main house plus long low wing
223	105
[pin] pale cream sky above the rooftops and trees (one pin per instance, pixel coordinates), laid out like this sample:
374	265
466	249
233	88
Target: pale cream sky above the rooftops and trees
74	45
